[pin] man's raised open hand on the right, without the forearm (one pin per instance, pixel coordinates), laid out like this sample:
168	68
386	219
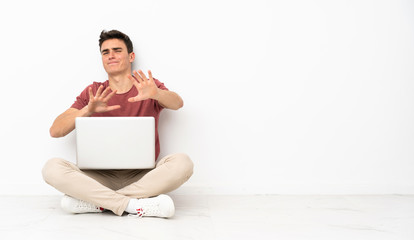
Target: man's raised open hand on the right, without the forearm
146	87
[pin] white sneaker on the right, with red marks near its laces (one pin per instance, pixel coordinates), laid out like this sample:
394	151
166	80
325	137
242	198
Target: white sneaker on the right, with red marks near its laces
159	206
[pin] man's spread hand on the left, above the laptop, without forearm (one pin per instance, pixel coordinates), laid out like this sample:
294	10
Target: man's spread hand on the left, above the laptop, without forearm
99	102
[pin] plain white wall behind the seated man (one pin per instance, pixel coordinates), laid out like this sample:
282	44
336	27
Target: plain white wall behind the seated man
280	96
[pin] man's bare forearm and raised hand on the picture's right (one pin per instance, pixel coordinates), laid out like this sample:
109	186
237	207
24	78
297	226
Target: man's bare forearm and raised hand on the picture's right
148	89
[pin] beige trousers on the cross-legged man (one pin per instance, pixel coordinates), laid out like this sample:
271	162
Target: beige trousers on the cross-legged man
112	189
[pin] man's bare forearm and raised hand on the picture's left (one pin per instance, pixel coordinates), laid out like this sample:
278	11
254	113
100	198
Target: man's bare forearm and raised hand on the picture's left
65	122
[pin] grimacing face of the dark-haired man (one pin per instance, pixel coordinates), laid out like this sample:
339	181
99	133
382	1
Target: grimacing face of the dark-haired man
115	57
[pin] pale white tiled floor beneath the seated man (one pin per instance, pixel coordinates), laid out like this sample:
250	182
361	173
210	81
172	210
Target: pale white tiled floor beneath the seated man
377	217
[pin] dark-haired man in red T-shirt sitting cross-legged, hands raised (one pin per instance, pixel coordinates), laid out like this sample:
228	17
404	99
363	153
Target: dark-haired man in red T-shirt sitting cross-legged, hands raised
137	192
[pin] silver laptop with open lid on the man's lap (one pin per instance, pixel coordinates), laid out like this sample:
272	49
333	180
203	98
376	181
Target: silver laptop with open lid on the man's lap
115	142
